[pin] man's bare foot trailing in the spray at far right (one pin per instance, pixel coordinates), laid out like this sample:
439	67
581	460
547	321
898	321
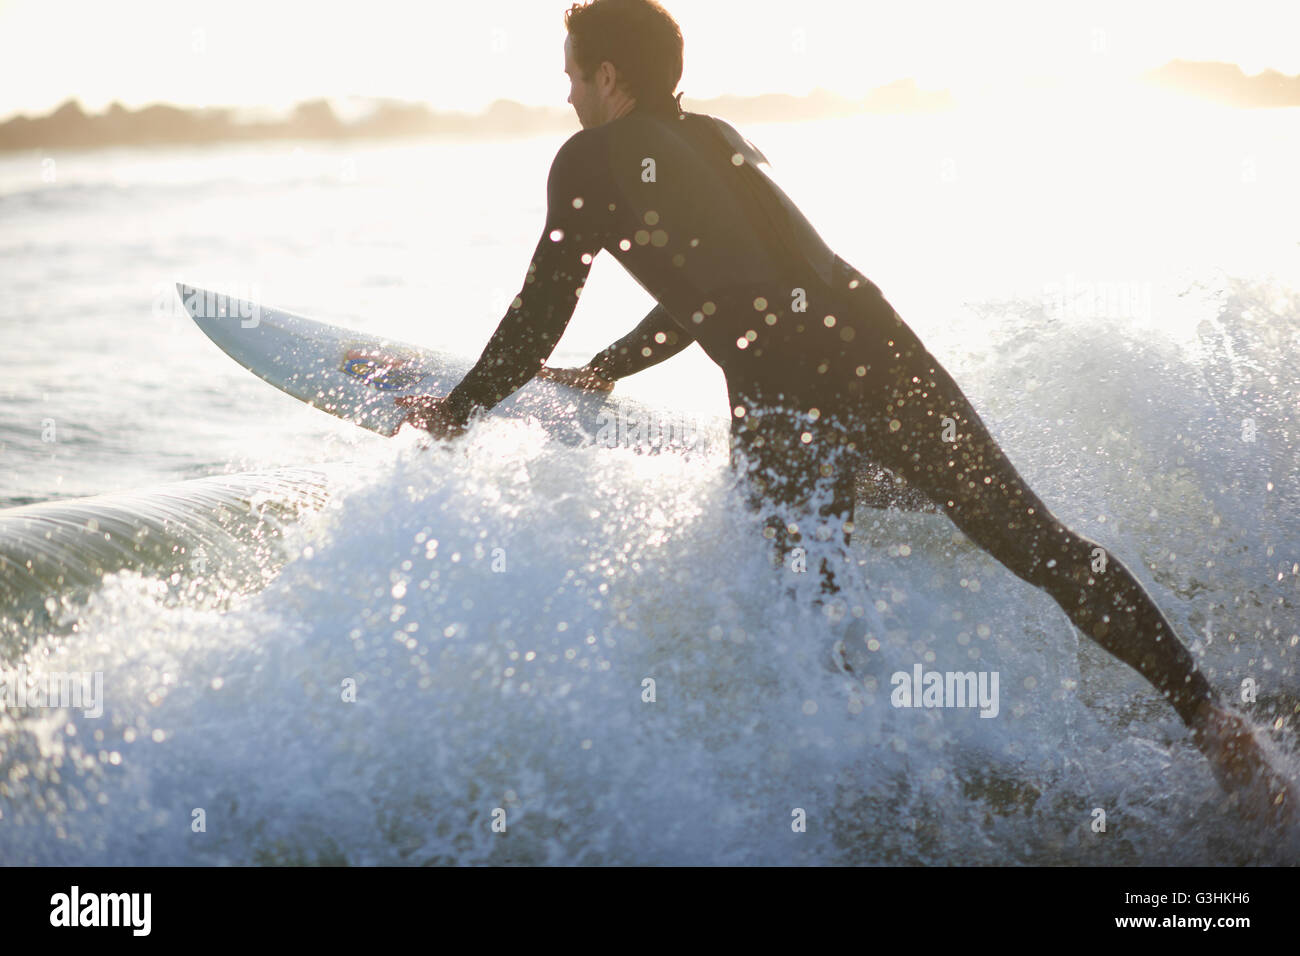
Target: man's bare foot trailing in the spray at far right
1240	765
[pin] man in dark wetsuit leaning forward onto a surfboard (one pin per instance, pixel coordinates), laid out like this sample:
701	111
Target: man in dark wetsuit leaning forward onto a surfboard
822	374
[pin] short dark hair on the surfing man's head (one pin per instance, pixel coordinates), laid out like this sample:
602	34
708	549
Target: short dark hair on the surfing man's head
639	37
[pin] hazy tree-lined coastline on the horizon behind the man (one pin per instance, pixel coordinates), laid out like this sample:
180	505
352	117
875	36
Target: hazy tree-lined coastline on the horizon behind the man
71	128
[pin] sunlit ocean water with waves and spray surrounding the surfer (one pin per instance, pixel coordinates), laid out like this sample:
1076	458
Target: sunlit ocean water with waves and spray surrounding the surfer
339	648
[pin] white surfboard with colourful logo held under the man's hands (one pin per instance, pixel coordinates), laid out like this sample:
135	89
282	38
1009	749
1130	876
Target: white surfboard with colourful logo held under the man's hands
358	378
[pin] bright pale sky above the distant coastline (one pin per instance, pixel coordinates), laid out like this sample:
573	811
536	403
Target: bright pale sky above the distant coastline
466	55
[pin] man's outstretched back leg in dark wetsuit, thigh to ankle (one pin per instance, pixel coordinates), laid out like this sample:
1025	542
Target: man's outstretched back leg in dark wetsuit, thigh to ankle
934	438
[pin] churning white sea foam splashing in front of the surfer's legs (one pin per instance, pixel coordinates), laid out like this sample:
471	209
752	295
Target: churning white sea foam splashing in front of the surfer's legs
500	605
